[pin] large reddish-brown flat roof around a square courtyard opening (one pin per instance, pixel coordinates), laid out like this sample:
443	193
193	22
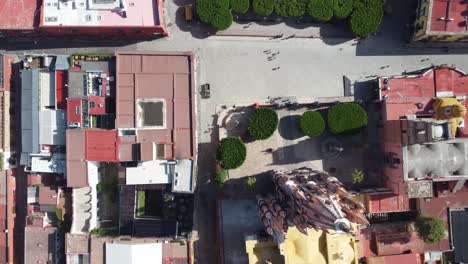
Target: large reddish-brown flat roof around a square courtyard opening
167	76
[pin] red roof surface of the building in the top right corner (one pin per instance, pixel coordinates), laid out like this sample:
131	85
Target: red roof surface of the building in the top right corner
450	9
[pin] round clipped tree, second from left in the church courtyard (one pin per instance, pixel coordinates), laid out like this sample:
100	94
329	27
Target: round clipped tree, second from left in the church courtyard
263	123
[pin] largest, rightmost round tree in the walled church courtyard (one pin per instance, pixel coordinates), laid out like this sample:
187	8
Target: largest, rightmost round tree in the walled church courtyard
347	118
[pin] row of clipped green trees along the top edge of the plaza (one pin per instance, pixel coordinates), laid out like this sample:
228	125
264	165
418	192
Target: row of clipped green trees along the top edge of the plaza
365	16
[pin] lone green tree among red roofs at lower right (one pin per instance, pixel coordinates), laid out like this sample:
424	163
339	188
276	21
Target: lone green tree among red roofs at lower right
430	229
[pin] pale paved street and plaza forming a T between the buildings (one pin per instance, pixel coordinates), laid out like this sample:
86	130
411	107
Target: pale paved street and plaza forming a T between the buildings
239	70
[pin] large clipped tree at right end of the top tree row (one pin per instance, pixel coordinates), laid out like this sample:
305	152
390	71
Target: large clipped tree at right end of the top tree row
367	17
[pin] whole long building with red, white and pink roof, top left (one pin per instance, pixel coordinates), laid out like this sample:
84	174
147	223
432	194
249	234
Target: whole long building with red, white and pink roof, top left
72	18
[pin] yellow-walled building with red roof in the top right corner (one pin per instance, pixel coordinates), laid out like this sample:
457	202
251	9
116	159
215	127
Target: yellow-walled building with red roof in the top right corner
441	21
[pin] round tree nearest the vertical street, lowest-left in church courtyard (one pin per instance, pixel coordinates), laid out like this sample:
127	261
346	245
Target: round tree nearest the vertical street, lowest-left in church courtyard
231	153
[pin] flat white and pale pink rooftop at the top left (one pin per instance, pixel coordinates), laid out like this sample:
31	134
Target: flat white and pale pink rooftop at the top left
94	13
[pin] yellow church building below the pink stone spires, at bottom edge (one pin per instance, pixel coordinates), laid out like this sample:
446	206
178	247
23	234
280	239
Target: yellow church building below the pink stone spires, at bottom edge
318	247
